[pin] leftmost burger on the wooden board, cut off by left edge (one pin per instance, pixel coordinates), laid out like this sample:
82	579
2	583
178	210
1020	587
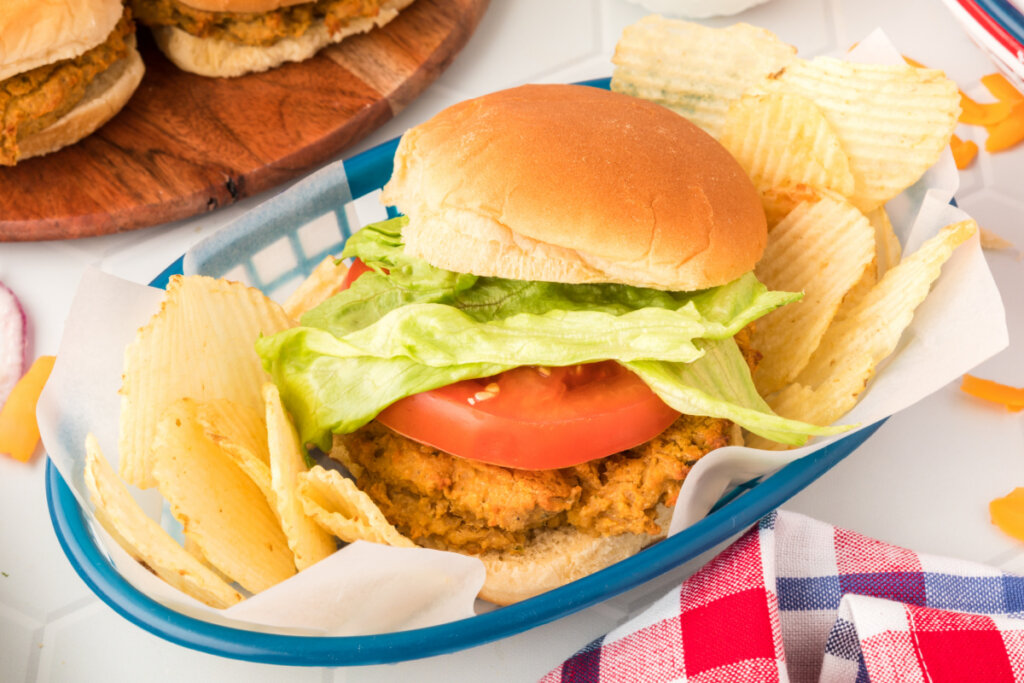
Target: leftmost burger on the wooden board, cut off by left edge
66	69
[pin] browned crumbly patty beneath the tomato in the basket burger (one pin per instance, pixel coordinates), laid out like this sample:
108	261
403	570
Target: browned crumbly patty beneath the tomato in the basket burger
442	501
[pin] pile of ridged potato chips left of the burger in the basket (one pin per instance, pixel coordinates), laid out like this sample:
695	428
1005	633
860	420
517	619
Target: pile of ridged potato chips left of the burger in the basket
221	448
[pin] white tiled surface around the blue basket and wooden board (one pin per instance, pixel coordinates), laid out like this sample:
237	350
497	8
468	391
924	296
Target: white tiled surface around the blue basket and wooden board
924	481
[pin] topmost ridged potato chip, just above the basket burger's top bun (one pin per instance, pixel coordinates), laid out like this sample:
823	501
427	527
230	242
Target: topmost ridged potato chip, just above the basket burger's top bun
694	70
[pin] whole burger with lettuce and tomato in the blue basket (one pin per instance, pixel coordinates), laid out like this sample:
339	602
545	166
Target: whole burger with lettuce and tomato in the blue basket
527	365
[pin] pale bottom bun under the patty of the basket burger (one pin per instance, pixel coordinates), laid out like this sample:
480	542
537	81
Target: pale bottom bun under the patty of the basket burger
558	558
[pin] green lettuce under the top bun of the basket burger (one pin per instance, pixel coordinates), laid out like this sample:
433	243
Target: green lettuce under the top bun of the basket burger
420	327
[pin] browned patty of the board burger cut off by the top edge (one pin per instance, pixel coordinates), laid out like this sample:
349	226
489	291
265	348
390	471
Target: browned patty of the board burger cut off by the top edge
260	29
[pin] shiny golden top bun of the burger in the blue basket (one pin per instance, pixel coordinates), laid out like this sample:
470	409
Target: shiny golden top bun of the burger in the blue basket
577	185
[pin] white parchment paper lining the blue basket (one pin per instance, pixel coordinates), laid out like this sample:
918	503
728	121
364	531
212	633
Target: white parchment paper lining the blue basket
367	588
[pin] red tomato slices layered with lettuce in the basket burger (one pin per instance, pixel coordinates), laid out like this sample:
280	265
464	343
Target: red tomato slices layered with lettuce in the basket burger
533	418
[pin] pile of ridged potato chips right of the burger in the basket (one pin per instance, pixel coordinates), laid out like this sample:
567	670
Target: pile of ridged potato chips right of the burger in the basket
827	144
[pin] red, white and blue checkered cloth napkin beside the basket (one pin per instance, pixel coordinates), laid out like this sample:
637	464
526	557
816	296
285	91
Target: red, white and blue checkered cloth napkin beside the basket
796	600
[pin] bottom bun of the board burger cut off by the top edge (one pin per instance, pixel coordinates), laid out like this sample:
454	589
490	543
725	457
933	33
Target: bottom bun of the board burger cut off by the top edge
216	58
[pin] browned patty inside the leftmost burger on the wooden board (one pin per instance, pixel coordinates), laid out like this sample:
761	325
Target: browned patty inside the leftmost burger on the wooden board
35	100
